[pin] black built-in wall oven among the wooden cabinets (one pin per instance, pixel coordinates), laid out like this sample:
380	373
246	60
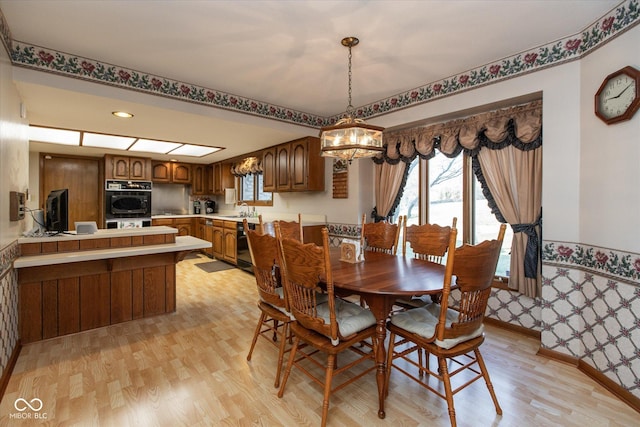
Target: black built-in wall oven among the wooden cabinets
127	204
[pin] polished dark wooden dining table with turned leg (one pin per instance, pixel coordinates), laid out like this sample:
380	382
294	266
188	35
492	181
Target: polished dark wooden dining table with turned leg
380	279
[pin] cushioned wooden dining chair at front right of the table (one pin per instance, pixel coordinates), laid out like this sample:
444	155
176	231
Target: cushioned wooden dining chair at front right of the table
452	334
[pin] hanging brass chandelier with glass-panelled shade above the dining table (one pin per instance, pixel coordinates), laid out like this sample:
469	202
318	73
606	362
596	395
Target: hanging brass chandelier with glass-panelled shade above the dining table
351	138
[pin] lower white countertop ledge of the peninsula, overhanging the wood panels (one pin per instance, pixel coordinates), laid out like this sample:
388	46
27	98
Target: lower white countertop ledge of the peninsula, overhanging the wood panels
183	243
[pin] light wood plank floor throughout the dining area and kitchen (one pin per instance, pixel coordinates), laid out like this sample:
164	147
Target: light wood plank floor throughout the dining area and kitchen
190	369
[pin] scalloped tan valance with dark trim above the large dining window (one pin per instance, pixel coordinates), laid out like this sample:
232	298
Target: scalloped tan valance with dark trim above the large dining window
520	126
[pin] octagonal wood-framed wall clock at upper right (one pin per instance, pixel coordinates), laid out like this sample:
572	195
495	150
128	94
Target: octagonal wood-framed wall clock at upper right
618	98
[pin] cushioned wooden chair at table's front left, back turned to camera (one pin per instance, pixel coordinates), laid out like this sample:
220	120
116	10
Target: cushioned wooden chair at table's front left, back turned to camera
330	328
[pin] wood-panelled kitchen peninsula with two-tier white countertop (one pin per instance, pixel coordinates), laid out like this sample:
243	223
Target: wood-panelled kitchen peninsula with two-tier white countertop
71	283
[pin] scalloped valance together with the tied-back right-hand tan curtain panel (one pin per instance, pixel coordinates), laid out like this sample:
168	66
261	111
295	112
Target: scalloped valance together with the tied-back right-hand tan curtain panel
506	149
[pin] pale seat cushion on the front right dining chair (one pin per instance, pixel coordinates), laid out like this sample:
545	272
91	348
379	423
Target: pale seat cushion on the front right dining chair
423	320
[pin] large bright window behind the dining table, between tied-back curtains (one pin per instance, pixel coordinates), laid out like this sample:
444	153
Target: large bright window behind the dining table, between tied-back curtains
448	195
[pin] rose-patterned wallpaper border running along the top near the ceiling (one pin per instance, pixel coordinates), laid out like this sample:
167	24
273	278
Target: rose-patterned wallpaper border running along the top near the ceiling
617	21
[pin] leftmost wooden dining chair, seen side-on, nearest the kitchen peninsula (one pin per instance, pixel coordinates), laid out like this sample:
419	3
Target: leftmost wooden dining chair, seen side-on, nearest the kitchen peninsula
274	320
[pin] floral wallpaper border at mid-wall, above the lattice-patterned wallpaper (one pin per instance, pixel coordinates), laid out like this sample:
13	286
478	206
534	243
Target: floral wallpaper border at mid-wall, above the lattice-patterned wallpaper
614	264
